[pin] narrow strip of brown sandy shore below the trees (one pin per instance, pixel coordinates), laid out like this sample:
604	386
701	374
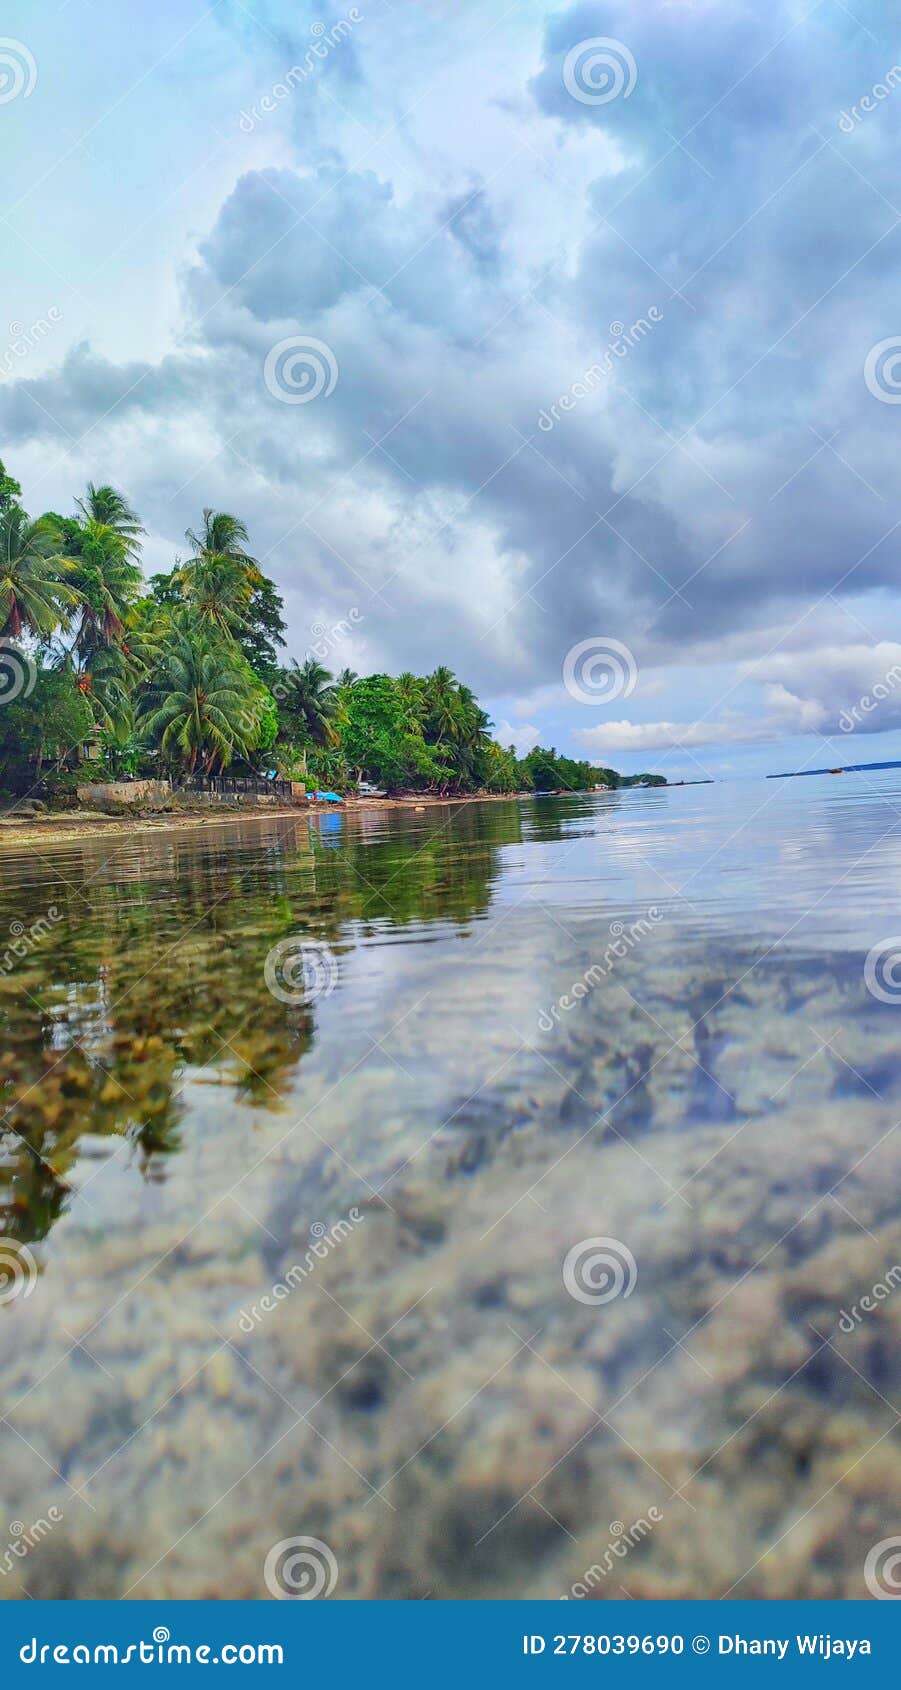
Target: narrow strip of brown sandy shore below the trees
74	826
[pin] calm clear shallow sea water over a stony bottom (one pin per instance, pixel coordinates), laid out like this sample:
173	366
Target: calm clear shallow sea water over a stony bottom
505	1197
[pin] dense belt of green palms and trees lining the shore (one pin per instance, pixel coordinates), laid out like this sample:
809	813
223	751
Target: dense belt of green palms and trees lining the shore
182	673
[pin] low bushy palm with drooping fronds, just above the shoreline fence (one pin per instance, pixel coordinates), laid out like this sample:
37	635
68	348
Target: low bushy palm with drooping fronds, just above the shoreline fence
202	706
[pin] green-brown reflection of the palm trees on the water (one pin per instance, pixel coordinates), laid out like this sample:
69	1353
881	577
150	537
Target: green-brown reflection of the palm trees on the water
151	981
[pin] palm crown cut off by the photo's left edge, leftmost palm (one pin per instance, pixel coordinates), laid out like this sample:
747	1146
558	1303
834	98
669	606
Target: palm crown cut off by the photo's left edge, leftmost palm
36	591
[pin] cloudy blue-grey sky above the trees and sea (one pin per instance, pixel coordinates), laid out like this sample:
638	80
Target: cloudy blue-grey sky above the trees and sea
559	344
